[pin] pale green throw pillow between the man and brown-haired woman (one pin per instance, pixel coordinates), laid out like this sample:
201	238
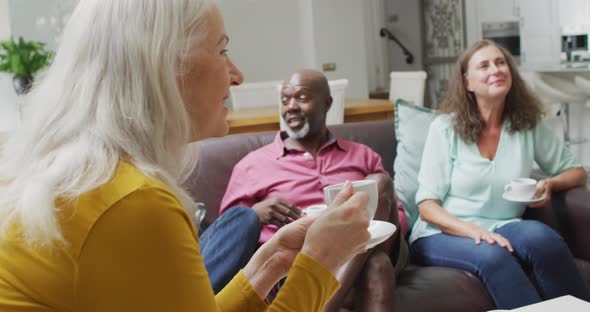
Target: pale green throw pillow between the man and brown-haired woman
411	128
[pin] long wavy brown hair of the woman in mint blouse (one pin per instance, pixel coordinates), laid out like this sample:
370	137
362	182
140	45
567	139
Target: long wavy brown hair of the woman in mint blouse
522	108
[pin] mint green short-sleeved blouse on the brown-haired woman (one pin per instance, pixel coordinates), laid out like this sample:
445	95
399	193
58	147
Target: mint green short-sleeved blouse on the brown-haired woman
469	186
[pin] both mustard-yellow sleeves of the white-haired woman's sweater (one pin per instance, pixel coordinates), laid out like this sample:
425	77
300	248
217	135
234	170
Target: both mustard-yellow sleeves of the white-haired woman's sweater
142	255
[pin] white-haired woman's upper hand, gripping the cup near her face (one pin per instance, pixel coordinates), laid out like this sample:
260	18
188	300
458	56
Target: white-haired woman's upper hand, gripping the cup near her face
341	231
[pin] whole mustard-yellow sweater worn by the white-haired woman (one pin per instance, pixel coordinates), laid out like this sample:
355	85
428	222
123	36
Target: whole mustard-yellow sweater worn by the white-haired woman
132	247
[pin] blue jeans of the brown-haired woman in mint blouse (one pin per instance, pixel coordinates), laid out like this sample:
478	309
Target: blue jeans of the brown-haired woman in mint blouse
537	248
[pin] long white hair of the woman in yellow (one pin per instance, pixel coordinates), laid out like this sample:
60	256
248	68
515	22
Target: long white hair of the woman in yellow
111	93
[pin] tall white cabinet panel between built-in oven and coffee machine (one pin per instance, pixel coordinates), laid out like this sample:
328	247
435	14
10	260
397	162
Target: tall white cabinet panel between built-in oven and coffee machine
540	39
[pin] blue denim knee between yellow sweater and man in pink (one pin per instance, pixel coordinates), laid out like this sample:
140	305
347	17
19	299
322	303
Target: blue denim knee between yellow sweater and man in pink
228	244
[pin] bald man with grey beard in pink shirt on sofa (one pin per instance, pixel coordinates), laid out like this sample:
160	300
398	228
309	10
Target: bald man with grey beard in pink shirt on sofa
278	181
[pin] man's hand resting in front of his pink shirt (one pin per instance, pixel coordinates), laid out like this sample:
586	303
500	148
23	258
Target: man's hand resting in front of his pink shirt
277	211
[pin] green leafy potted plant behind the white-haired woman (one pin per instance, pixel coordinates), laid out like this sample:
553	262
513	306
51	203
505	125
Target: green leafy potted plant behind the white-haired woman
23	59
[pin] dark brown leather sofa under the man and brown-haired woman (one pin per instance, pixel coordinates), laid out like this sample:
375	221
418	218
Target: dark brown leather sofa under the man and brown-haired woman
418	288
